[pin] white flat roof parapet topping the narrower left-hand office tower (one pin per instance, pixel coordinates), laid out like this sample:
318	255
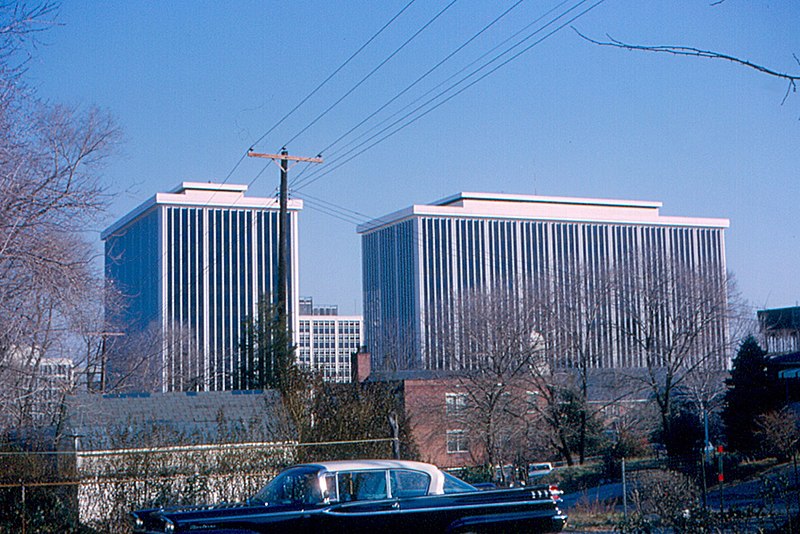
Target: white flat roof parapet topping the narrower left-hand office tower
201	194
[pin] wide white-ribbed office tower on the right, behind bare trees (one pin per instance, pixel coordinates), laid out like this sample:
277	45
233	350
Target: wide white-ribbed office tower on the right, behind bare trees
419	263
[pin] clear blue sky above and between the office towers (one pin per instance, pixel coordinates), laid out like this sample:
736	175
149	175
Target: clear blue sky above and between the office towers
194	83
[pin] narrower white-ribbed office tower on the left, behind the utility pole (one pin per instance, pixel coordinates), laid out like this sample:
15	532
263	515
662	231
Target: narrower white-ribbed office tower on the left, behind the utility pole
193	264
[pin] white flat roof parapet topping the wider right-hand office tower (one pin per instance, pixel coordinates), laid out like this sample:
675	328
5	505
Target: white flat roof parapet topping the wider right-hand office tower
505	206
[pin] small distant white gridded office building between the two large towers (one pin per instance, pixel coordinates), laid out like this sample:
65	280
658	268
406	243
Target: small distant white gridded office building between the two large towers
327	341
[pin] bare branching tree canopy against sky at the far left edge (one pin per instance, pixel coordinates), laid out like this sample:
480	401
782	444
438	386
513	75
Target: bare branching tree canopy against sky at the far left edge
49	194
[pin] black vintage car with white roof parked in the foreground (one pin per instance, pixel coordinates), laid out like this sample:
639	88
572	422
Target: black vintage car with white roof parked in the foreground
376	496
